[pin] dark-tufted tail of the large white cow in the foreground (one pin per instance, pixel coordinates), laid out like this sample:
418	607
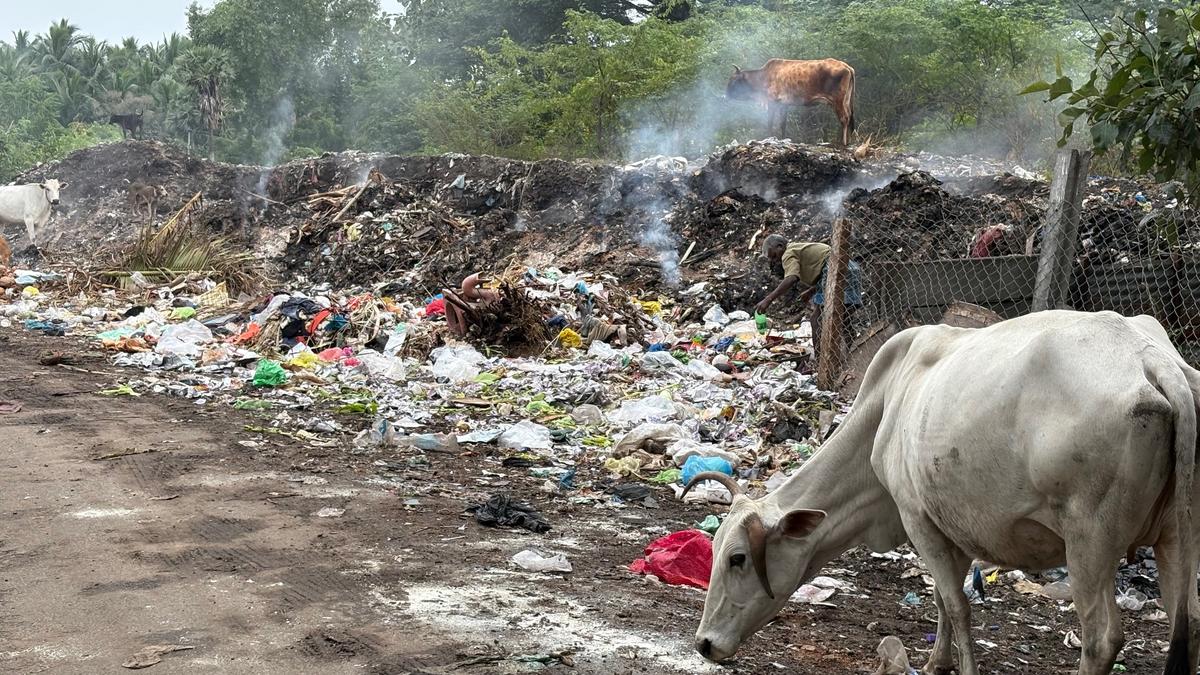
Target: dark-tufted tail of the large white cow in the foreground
1174	385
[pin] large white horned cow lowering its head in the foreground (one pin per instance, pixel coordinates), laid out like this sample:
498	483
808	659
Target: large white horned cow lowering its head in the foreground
1057	438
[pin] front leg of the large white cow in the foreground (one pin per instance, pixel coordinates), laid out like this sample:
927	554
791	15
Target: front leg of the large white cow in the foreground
949	565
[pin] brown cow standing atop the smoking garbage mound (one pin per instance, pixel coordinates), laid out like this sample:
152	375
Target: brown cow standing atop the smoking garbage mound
784	83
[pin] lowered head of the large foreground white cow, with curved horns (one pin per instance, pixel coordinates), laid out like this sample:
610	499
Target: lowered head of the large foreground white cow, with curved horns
759	560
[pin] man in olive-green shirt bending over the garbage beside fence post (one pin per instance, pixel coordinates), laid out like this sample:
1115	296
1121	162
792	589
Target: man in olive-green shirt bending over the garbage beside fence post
805	262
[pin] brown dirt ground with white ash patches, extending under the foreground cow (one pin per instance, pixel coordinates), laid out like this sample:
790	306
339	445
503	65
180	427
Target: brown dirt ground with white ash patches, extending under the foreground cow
193	537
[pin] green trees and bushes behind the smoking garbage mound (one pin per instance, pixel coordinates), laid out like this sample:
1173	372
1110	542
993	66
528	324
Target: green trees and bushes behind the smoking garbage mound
263	81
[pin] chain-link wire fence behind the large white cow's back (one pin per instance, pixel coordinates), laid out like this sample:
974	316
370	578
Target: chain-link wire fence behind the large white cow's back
929	255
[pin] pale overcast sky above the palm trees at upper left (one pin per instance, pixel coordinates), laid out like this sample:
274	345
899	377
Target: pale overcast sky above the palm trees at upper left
107	20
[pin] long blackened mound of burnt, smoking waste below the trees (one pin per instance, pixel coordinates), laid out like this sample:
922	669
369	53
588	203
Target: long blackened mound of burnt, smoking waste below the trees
682	229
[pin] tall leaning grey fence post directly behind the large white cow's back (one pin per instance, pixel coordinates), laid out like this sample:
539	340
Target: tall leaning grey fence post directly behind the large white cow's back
1061	230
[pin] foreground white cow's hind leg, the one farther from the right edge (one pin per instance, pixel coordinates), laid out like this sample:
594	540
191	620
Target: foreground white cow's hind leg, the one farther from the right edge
1093	564
